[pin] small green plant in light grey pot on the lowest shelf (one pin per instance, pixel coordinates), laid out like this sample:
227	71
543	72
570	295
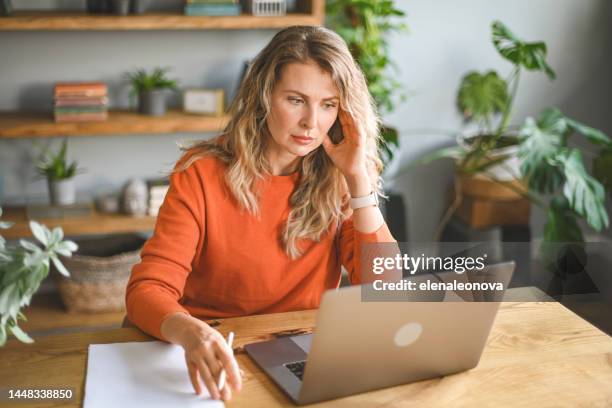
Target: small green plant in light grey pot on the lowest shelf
60	176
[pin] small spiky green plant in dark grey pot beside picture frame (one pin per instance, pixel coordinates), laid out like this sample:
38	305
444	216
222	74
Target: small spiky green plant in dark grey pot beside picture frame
151	90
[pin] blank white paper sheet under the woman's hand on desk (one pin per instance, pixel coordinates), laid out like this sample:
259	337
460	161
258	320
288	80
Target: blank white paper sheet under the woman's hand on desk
145	374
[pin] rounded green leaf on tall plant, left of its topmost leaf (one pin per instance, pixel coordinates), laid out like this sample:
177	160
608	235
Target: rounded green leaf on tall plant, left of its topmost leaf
481	96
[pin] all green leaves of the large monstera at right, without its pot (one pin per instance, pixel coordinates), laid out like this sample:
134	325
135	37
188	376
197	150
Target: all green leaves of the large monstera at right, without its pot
548	163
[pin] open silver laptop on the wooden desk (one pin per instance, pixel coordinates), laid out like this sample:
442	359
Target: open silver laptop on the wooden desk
361	346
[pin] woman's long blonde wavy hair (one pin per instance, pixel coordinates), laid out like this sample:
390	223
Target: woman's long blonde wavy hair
321	196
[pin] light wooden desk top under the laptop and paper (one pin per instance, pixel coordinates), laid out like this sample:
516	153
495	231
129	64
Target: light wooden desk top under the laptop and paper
538	355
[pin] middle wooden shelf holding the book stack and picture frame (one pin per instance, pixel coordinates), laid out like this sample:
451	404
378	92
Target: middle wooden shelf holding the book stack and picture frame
24	124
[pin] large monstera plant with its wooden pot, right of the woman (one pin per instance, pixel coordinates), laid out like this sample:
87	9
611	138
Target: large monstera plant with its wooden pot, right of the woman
533	160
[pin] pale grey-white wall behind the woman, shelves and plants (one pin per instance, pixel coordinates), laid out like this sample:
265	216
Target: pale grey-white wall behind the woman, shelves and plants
447	38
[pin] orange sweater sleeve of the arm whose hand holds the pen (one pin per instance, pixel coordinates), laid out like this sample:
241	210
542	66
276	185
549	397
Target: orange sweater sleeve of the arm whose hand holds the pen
157	282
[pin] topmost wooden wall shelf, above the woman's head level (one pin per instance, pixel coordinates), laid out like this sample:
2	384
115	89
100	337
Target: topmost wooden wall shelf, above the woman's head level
56	20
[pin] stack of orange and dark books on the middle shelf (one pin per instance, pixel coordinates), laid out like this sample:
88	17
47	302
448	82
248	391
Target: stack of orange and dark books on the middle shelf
80	102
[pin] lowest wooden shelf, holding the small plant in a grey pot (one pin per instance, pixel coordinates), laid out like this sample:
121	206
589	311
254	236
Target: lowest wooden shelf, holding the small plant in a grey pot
95	224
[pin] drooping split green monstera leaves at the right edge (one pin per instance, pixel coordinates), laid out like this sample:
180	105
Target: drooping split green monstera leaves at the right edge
551	166
